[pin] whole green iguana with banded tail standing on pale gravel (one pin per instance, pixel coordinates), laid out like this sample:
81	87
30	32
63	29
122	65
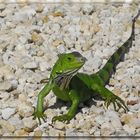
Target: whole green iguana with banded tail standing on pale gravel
69	85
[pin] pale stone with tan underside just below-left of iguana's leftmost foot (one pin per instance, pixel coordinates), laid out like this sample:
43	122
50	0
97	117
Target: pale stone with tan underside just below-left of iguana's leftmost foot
29	124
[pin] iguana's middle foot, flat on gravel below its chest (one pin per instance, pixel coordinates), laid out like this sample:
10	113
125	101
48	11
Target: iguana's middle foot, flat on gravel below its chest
63	118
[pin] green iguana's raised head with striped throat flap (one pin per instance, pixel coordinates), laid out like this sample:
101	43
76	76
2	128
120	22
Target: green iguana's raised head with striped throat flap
66	67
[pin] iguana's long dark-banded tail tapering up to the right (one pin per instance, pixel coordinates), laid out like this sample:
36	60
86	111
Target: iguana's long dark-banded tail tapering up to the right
106	72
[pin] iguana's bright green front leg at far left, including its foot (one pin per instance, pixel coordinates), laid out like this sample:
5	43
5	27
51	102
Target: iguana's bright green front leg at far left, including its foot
38	113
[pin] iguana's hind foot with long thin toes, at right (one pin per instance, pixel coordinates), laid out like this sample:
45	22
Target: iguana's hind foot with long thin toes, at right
115	100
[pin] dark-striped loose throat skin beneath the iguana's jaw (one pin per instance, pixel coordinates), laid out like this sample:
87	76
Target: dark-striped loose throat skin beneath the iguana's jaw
63	79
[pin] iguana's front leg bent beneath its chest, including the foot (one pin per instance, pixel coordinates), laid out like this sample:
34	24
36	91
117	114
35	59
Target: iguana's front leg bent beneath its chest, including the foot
72	111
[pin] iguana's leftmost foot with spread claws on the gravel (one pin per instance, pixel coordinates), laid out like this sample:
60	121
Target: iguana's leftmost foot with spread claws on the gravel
39	115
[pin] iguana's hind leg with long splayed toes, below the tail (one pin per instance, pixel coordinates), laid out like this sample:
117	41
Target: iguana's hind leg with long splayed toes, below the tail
109	97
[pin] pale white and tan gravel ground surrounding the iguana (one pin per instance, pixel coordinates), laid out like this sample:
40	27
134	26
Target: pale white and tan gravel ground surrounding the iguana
31	37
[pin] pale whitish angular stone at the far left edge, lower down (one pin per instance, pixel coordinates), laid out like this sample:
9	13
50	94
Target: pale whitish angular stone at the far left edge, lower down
8	112
